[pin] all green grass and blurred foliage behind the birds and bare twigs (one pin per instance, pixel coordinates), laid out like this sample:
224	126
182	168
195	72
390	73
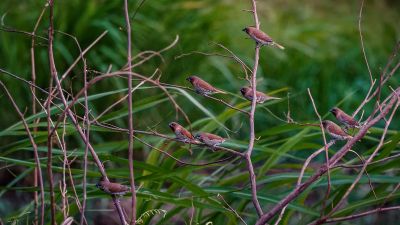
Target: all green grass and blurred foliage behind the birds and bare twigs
322	53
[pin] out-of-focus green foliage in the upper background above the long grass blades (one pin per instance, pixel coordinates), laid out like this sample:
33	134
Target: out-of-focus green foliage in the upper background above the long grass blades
321	37
